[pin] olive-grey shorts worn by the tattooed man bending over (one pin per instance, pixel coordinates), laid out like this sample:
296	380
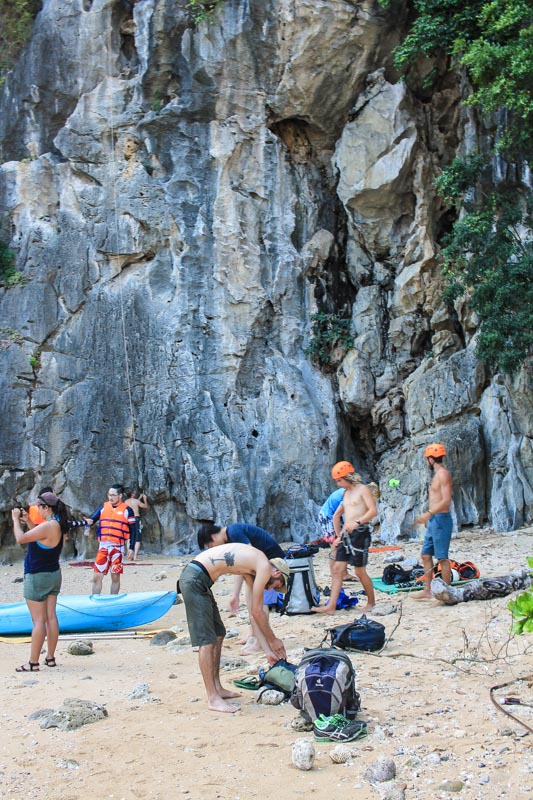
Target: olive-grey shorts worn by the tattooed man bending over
203	617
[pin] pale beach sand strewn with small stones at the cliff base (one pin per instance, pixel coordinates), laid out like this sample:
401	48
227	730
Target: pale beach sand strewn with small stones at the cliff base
425	698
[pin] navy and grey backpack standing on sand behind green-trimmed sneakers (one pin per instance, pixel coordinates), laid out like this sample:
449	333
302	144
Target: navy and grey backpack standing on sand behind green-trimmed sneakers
325	684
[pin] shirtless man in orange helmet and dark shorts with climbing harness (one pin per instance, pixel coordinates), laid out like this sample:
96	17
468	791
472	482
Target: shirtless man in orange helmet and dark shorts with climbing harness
352	541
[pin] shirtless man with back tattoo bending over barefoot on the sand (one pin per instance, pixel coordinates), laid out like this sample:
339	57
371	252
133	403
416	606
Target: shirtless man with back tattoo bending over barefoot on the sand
206	628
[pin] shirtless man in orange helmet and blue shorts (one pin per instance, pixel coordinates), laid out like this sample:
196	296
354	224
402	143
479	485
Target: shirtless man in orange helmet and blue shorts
438	519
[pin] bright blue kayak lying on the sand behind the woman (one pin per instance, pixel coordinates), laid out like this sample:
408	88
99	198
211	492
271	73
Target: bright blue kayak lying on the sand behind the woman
91	613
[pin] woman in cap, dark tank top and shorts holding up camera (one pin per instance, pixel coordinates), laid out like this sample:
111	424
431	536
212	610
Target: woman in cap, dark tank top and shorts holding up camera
42	574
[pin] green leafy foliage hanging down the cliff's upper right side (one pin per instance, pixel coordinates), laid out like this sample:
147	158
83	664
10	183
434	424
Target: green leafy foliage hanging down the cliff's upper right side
488	255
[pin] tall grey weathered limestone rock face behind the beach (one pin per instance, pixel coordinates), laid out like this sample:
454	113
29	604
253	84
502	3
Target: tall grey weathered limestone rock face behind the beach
181	198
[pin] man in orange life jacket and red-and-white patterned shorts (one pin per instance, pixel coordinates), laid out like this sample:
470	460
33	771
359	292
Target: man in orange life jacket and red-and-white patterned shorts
115	518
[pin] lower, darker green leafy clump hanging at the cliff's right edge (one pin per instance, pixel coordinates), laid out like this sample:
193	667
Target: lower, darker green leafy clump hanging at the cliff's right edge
488	258
